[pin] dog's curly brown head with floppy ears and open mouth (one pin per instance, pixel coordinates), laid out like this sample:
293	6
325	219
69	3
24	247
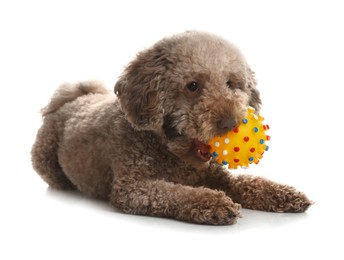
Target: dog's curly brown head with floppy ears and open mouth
187	89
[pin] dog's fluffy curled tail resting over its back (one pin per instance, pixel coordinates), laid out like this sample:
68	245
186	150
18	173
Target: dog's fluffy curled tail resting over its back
70	91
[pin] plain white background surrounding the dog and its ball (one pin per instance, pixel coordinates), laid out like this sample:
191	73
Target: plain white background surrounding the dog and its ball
296	49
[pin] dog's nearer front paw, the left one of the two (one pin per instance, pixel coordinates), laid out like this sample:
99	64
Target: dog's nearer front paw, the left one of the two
215	210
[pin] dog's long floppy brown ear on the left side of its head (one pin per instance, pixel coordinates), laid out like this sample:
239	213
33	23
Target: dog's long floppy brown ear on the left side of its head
140	90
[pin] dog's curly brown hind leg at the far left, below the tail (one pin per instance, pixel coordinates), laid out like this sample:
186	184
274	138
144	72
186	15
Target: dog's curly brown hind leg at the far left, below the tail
45	160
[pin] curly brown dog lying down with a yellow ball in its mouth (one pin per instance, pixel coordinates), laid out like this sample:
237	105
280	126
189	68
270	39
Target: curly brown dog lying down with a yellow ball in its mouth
145	150
